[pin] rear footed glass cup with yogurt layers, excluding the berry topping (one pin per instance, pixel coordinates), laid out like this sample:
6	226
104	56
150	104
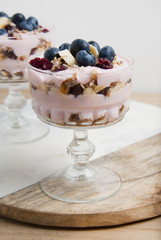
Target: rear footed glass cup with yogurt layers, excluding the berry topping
14	53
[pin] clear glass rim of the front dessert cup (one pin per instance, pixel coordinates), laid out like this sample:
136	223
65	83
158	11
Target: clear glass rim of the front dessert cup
105	71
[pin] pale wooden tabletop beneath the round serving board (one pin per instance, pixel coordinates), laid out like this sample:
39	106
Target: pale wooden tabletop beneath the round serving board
149	229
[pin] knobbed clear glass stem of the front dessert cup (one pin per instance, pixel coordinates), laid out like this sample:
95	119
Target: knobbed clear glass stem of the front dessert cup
81	149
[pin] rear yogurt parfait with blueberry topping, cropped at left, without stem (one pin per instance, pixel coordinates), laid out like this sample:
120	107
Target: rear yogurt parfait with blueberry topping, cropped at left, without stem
20	38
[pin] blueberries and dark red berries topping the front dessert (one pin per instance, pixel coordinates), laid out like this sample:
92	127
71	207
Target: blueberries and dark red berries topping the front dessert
80	49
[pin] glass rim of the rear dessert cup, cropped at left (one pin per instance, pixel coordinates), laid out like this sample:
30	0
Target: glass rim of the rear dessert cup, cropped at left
51	28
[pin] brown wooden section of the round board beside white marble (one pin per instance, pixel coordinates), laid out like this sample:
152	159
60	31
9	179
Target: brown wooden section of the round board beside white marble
139	166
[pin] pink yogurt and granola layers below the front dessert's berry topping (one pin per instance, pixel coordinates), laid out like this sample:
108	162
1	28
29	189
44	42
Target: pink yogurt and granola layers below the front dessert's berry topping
104	98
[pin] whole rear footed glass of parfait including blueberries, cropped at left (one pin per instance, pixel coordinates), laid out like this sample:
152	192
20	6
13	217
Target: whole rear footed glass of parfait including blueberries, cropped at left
19	39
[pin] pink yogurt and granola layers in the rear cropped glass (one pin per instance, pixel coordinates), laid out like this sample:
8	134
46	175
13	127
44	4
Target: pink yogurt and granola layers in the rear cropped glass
14	53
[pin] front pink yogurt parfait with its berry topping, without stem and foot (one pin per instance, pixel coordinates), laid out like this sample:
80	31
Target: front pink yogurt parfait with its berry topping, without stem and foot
80	84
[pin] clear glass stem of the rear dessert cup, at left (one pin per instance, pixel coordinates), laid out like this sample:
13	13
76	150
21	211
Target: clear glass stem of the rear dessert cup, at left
14	104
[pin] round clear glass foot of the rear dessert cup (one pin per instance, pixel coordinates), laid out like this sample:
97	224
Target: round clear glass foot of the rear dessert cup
30	130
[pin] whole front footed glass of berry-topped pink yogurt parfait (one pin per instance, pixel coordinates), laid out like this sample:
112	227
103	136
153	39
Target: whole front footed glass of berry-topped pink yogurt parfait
80	86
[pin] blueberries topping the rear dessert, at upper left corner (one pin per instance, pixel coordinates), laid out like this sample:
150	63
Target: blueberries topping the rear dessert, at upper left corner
21	23
